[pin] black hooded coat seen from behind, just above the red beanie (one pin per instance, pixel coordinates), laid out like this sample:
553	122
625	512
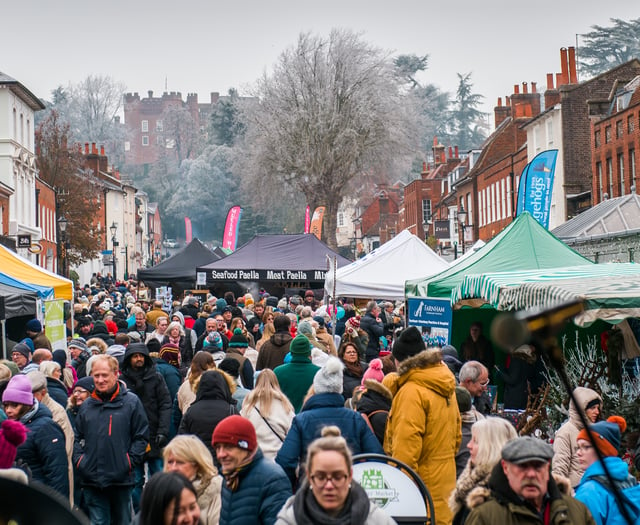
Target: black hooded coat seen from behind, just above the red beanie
213	403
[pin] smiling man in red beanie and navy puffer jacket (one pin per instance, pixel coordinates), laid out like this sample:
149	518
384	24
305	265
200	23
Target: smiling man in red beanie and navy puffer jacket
255	489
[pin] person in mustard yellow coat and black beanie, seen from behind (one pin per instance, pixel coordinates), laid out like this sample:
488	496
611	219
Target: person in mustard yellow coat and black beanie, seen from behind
424	425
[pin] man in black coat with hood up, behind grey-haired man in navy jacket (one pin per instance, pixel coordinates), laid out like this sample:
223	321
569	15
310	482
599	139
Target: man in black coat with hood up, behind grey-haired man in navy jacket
141	377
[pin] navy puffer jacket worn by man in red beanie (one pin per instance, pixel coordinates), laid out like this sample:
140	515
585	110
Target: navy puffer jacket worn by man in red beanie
263	490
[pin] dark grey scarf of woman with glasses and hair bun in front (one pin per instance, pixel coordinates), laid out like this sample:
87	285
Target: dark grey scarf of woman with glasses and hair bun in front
308	511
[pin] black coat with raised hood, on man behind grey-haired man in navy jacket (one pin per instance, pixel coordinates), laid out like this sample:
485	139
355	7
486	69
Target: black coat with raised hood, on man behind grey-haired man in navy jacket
152	390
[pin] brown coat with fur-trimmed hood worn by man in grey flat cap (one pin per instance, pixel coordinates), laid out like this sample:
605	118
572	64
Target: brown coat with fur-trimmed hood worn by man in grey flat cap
499	504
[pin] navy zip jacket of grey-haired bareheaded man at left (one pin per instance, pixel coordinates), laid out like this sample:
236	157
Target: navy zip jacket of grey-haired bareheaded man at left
111	439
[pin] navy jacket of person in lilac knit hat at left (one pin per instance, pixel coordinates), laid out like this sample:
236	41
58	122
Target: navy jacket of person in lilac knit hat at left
44	450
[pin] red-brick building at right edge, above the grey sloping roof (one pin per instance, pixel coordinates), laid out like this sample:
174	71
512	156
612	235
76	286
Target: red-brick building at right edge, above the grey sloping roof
615	140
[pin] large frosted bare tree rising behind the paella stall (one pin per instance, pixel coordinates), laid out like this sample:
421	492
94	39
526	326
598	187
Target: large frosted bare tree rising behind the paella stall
331	110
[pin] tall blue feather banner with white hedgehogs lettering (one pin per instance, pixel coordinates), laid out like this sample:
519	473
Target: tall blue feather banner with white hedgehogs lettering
539	185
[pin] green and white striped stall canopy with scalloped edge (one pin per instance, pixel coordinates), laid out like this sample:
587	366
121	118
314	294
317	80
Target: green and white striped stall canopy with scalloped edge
609	291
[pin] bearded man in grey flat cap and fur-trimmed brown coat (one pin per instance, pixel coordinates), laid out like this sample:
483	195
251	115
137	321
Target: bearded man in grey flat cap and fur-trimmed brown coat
523	491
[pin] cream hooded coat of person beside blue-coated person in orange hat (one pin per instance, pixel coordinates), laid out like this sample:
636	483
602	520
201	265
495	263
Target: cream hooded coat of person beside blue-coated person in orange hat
565	459
